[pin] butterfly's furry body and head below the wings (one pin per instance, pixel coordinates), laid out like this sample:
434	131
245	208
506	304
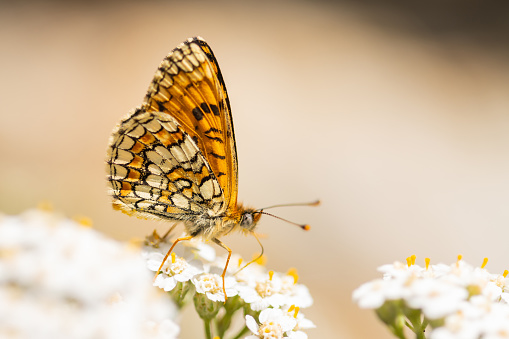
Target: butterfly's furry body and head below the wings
210	226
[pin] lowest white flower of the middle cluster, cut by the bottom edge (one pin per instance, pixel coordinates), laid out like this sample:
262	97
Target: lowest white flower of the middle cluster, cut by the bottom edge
273	324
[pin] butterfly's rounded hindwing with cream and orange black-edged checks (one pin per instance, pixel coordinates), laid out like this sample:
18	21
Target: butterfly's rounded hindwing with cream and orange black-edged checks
156	170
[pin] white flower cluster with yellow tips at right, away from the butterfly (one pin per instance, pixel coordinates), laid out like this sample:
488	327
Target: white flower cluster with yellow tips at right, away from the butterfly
456	301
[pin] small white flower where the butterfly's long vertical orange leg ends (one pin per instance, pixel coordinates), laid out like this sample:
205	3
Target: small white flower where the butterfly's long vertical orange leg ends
212	285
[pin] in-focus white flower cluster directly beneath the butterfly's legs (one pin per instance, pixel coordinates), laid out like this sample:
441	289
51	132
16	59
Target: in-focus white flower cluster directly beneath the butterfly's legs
275	299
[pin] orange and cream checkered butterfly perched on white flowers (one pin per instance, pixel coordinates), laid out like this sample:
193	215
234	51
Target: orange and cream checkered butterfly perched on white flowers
174	158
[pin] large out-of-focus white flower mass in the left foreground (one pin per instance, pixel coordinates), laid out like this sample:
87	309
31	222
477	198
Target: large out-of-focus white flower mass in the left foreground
59	279
